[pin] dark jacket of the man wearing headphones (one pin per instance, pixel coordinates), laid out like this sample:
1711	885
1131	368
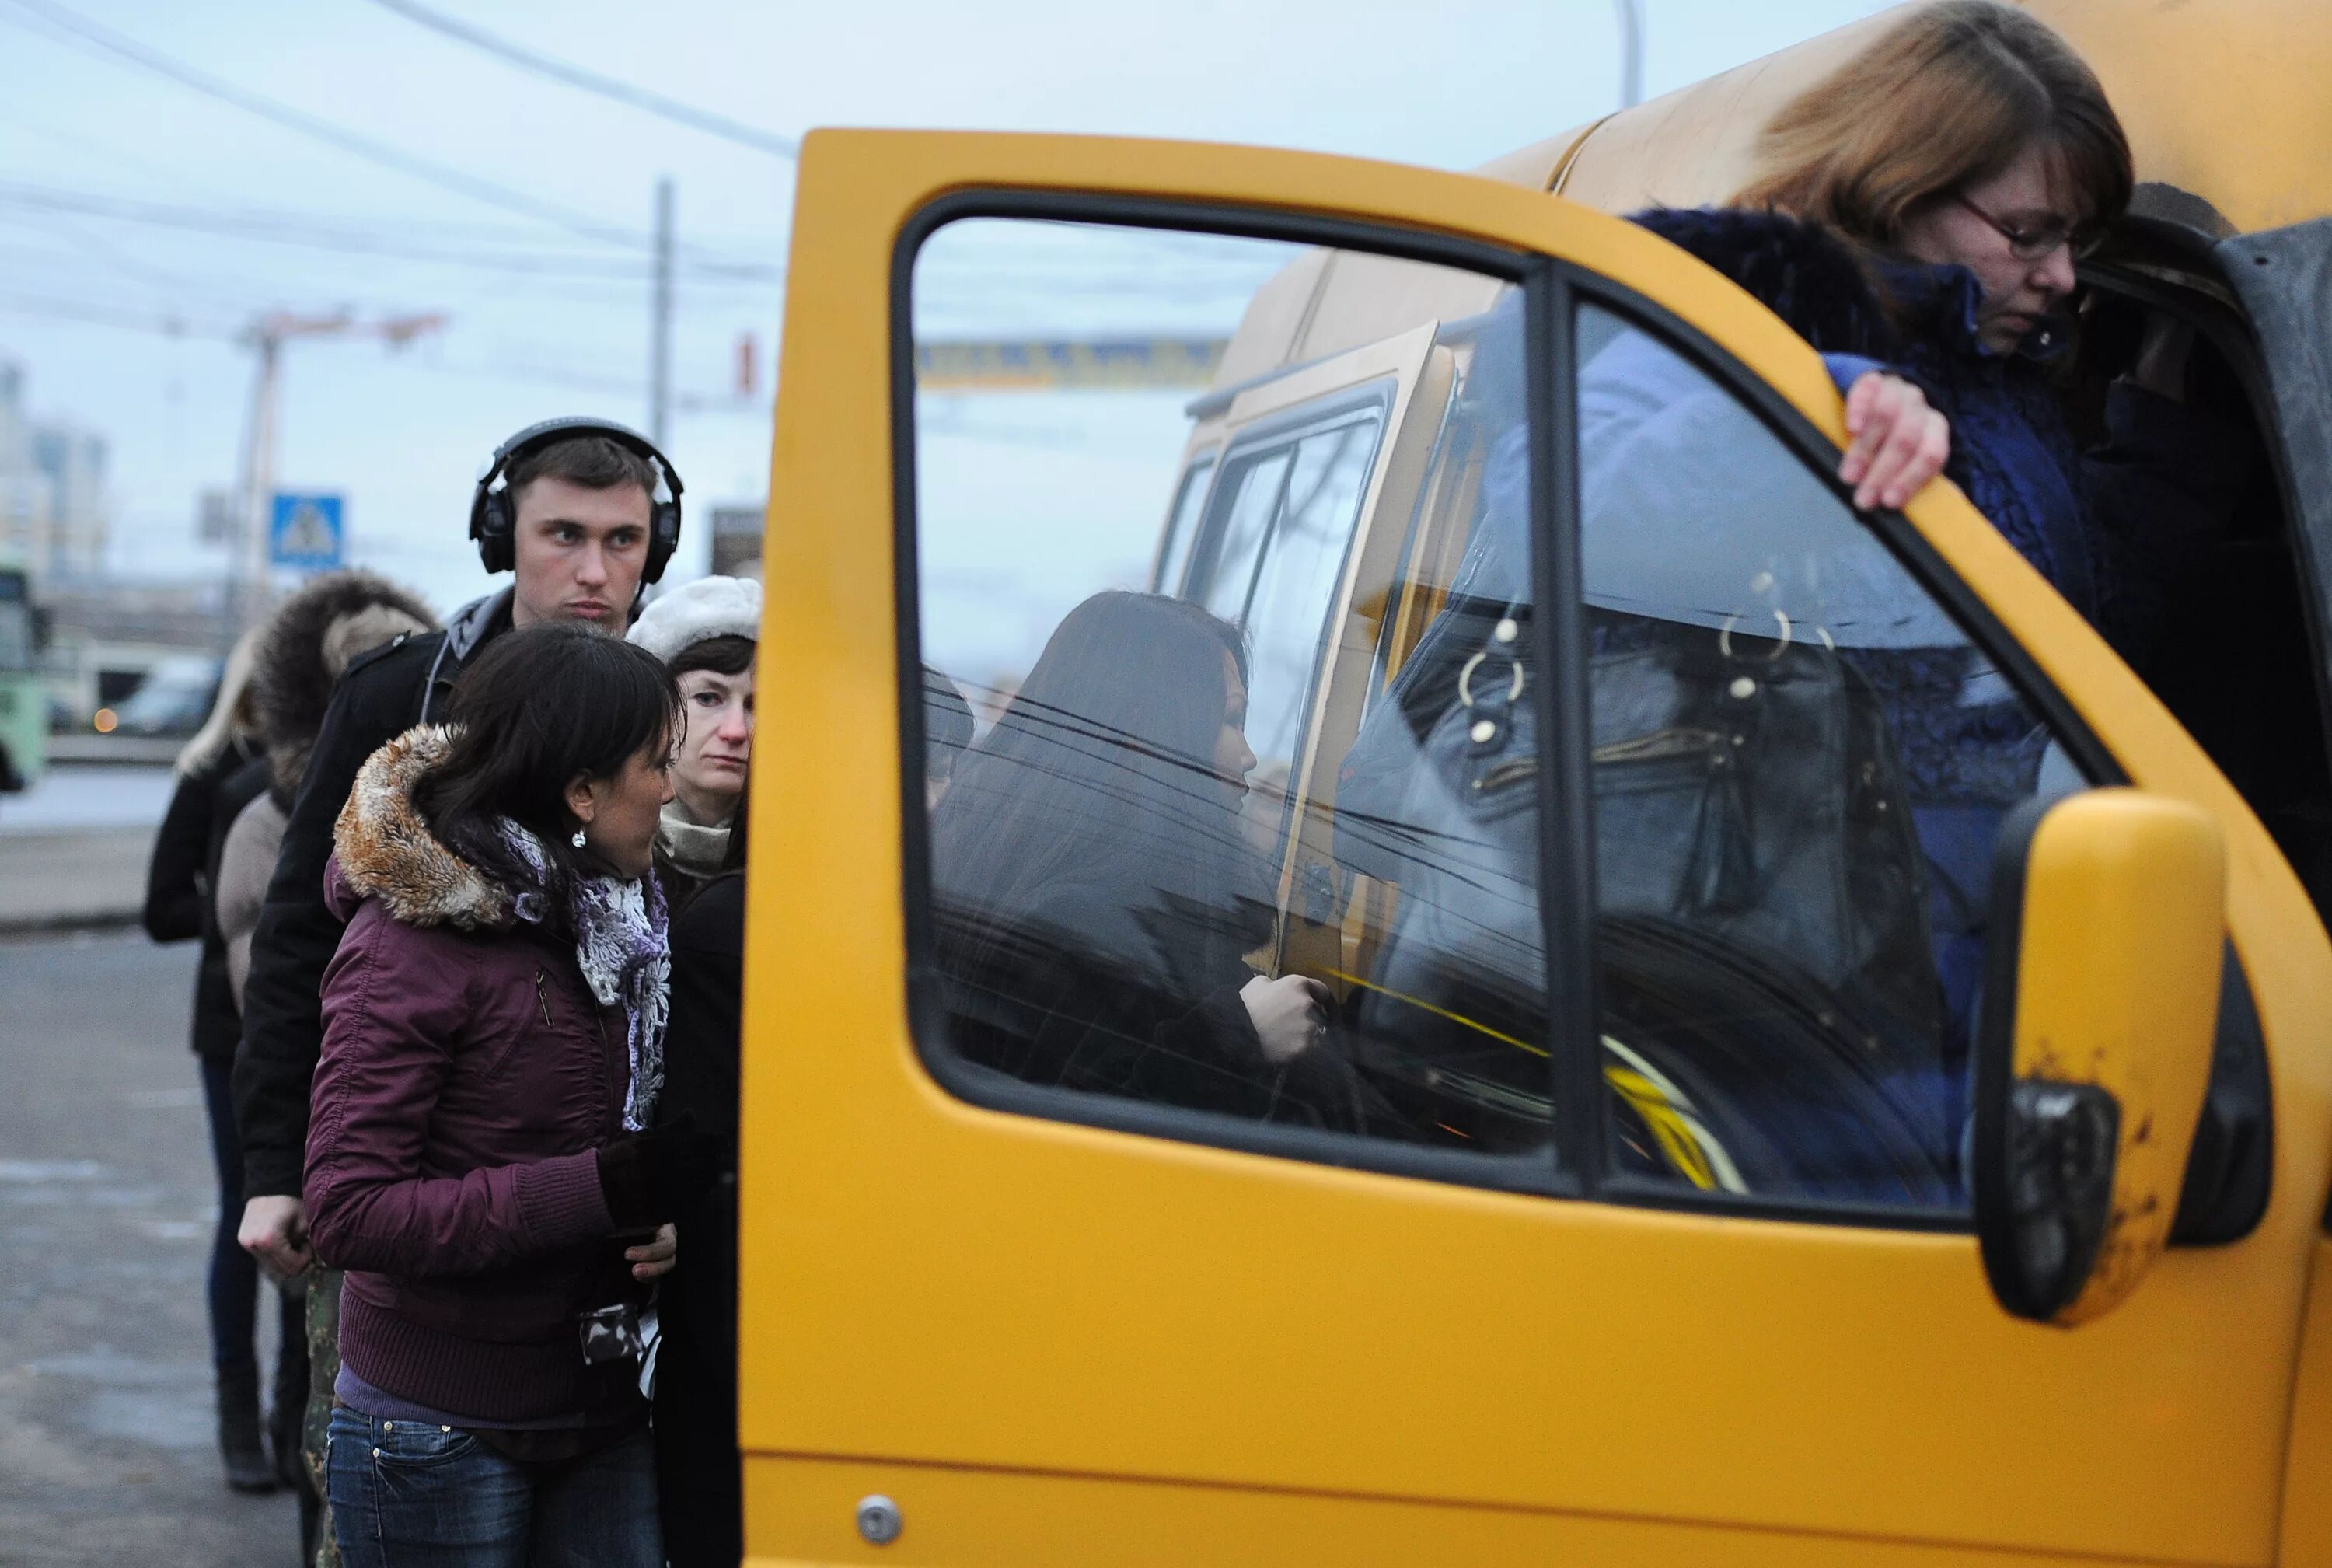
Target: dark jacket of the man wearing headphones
381	696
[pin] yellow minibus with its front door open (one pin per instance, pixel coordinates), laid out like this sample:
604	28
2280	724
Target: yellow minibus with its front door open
1678	1207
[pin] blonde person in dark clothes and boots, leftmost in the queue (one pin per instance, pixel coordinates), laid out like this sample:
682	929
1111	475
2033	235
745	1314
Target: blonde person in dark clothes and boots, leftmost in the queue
178	906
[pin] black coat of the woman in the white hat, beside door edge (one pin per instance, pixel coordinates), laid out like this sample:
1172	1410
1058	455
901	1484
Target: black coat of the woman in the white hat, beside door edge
696	1375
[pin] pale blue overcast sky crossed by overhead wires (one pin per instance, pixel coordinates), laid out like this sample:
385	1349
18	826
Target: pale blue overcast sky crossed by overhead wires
1445	85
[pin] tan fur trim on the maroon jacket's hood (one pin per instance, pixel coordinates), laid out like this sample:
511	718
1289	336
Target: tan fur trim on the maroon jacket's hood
384	848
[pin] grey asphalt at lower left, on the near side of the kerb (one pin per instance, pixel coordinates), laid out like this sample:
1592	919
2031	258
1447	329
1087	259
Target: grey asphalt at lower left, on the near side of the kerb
106	1200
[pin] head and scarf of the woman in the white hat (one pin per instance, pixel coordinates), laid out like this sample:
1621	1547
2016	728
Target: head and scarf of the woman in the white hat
705	633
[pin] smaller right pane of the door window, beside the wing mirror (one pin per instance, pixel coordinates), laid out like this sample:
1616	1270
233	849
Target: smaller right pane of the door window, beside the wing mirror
1799	771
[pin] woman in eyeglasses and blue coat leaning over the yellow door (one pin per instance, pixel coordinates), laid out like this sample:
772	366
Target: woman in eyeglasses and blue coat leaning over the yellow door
1923	211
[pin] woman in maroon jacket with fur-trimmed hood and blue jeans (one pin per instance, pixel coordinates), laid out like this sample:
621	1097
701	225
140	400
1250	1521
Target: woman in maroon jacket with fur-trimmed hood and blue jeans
479	1149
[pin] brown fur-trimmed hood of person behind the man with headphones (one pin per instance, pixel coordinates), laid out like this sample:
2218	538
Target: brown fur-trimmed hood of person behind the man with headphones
302	654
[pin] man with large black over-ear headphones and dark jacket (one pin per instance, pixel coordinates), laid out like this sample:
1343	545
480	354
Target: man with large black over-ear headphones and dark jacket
584	514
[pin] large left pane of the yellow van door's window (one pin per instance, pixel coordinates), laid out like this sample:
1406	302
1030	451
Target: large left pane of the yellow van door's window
1156	797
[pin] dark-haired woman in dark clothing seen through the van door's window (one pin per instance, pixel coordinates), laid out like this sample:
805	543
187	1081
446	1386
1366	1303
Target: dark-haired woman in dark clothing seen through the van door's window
1095	892
